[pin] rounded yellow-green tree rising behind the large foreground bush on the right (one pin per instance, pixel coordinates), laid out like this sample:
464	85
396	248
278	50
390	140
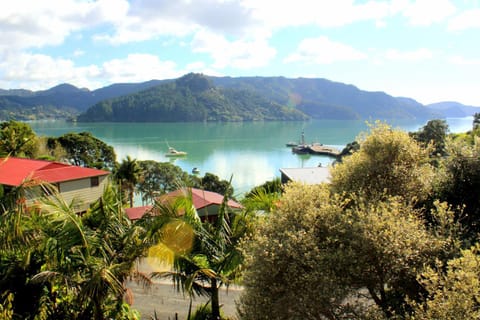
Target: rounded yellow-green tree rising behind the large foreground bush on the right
388	163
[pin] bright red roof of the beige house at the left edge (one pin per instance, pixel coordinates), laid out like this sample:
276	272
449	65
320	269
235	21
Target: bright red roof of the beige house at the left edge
14	171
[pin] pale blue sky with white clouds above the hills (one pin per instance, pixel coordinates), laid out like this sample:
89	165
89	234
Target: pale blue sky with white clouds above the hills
428	50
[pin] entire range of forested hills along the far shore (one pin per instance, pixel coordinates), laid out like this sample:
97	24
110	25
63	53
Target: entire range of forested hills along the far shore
221	98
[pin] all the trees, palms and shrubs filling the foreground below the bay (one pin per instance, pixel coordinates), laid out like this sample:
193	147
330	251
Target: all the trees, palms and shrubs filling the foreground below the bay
393	235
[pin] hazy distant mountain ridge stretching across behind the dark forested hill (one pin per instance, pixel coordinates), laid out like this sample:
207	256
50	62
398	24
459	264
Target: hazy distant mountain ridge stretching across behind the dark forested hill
313	97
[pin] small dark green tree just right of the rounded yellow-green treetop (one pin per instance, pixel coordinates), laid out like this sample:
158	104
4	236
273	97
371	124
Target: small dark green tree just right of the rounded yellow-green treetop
435	132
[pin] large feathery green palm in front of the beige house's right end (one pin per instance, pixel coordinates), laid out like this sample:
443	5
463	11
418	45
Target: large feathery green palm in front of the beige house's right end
88	257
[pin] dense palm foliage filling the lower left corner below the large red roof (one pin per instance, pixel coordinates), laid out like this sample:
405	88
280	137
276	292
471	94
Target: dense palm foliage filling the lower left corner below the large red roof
58	265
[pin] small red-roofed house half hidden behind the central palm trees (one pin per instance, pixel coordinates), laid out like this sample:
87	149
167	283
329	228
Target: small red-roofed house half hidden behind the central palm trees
207	203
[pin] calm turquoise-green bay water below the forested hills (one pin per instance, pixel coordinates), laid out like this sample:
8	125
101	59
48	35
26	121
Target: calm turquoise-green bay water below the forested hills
251	153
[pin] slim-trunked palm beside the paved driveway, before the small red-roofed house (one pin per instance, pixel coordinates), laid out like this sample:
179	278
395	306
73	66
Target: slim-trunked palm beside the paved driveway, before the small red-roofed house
214	259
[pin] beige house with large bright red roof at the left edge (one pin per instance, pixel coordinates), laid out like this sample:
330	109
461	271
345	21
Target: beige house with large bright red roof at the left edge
85	185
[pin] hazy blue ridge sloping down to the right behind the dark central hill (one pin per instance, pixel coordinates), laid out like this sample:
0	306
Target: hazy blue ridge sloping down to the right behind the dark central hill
325	99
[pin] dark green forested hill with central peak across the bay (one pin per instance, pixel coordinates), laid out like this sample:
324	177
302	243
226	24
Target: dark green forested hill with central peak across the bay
190	98
